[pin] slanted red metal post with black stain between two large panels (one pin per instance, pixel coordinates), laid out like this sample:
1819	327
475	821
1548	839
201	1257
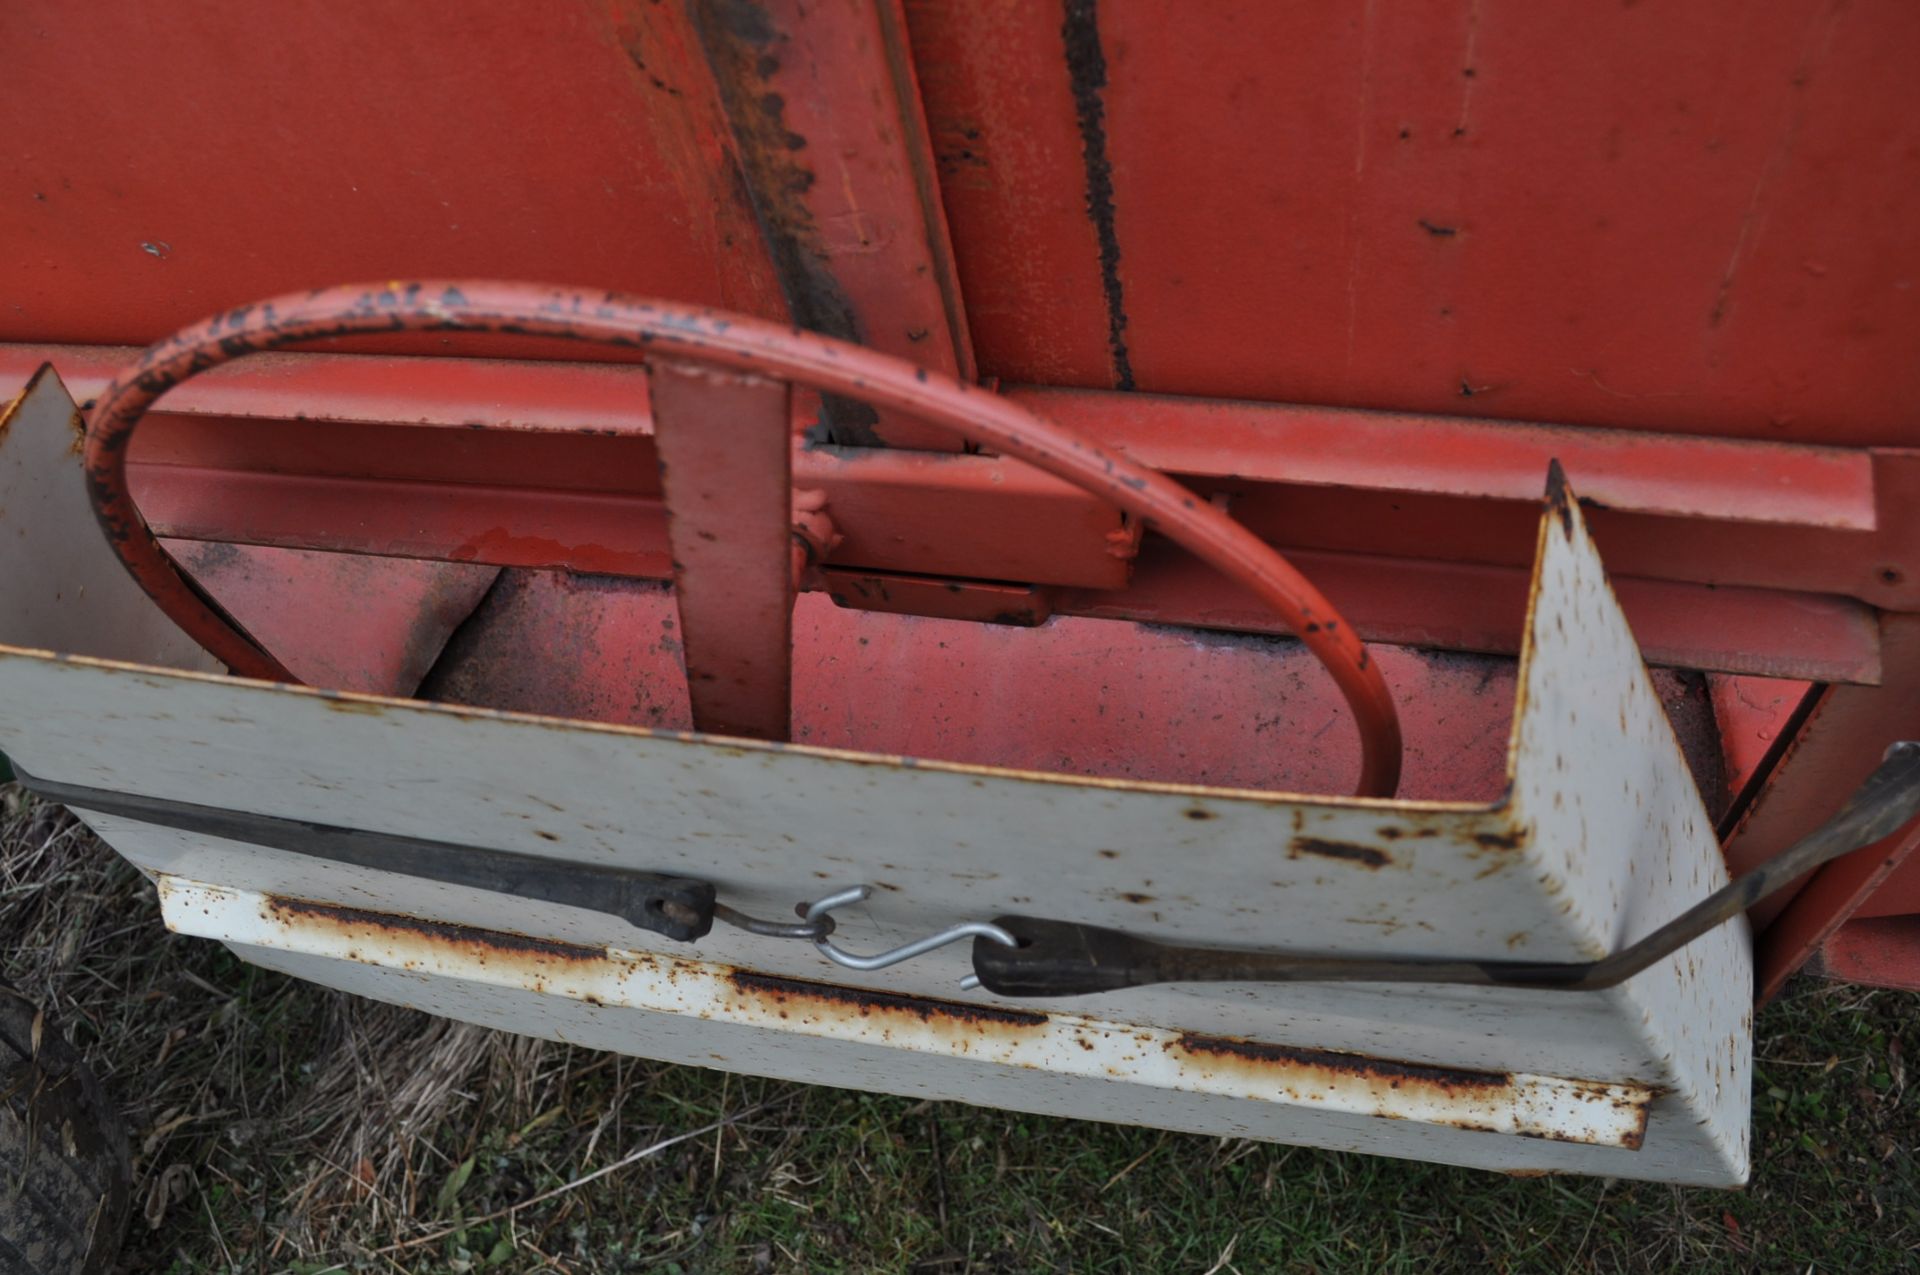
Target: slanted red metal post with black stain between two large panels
832	147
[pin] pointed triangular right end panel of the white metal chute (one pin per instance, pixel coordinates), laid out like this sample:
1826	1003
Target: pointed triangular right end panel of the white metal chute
1595	769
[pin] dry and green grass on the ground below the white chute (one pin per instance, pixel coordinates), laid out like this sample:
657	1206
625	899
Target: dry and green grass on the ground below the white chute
285	1128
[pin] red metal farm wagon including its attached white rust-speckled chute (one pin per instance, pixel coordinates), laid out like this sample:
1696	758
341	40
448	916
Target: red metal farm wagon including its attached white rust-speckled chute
1351	277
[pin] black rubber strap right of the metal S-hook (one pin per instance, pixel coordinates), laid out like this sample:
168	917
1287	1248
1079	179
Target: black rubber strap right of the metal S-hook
1065	959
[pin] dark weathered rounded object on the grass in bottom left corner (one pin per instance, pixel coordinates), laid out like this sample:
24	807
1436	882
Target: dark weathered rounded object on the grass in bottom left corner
66	1180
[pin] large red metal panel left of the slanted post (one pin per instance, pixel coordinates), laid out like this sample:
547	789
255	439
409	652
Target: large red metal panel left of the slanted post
168	164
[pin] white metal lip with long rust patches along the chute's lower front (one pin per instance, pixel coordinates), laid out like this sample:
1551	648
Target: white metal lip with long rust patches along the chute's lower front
1539	1107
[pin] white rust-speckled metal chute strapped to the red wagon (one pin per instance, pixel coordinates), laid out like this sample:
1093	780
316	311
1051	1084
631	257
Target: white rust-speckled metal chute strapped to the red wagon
1600	840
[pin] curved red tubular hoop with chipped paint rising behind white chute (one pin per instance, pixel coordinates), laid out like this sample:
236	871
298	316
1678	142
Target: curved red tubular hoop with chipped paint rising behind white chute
732	345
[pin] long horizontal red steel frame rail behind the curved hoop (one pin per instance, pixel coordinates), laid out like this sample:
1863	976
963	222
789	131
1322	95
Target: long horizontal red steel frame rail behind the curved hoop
383	456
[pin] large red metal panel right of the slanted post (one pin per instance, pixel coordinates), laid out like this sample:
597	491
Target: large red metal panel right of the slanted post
1591	214
